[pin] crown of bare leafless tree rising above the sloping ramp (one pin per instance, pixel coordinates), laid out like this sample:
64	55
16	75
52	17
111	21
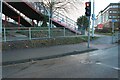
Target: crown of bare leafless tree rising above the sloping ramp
60	5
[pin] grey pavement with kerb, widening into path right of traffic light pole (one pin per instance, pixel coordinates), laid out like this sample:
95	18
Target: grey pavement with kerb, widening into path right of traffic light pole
29	55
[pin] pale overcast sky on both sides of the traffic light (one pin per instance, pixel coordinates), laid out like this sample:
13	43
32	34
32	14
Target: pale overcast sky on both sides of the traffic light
99	5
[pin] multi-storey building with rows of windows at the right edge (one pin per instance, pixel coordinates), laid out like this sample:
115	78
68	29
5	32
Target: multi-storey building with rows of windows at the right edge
108	15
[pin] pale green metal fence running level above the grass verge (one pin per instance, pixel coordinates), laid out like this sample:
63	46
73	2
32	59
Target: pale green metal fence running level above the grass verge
24	33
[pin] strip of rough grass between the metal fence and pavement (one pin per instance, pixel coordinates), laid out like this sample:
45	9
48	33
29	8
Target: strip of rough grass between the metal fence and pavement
13	45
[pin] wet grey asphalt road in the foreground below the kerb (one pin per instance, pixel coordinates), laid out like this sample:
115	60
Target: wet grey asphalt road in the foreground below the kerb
98	64
